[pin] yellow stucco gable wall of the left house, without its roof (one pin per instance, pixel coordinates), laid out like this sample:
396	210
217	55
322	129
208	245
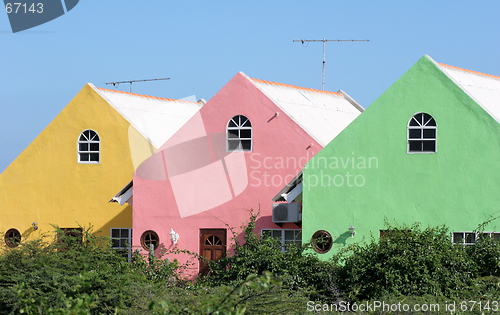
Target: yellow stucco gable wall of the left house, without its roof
47	185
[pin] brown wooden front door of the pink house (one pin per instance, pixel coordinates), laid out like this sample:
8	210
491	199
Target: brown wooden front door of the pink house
212	246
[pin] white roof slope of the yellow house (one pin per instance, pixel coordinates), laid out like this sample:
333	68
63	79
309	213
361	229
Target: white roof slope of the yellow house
157	119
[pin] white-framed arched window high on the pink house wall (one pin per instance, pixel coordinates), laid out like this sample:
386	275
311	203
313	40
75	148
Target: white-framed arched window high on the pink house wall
239	134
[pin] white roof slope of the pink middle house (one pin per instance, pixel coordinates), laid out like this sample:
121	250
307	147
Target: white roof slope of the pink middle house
322	114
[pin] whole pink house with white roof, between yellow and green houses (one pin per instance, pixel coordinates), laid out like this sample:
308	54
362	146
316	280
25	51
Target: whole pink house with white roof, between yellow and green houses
234	155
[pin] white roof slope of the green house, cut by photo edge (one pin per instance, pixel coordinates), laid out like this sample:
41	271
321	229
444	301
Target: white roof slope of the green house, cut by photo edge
484	89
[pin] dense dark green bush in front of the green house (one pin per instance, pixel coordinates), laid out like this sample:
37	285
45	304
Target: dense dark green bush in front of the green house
416	262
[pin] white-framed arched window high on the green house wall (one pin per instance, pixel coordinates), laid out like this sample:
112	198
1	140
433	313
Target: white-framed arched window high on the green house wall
422	133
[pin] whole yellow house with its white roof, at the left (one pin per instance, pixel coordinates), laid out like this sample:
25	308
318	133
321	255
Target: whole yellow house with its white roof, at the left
67	175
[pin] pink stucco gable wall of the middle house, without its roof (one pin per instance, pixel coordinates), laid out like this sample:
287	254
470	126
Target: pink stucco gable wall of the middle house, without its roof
280	150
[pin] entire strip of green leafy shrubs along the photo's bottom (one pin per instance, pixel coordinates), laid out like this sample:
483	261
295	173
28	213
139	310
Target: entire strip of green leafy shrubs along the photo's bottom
82	275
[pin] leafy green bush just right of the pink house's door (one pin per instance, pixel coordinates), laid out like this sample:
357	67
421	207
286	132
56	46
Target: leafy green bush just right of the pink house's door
301	271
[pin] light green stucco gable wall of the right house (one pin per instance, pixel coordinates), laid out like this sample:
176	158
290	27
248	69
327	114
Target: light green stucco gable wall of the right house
459	185
